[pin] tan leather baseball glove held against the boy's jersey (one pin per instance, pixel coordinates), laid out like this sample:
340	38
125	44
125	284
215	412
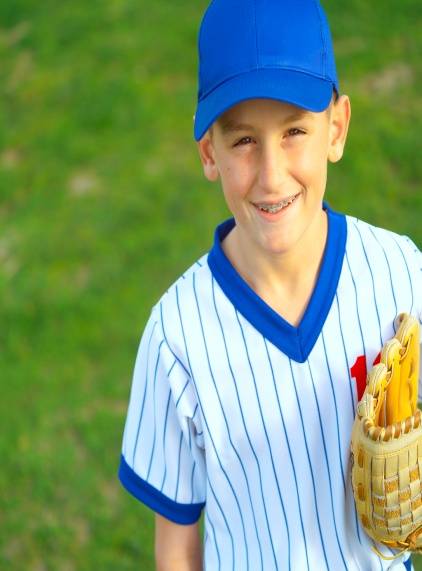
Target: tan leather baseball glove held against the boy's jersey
387	445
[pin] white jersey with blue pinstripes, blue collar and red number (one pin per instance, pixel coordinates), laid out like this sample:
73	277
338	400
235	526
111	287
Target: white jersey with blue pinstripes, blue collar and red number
234	410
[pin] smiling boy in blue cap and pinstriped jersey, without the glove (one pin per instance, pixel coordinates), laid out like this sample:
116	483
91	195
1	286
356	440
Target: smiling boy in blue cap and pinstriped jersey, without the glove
251	365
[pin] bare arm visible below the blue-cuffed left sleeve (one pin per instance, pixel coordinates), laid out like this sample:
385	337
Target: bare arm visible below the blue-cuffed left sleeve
177	547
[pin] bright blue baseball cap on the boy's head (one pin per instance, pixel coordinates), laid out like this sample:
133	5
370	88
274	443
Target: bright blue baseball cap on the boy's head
275	49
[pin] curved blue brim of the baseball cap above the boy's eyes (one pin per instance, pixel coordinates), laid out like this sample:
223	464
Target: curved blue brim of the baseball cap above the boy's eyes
294	87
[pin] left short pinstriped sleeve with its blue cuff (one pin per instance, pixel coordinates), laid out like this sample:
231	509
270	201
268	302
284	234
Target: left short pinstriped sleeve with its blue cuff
162	463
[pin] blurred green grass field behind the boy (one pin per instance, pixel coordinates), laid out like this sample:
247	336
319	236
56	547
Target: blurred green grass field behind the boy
103	204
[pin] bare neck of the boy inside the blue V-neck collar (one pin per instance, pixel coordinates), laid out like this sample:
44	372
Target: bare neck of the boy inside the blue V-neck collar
285	281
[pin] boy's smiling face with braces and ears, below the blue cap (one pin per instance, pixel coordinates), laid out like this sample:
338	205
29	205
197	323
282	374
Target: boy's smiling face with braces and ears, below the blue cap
271	158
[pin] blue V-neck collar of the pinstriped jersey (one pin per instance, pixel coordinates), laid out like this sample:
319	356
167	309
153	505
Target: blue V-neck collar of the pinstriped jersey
295	342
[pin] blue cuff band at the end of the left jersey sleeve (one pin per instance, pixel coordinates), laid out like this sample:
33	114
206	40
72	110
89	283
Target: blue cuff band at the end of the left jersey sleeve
184	514
